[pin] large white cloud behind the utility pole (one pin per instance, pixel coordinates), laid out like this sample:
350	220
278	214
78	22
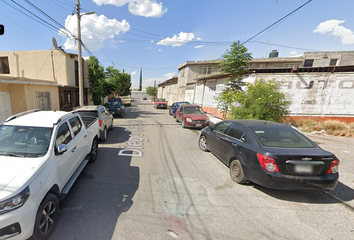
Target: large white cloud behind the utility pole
94	31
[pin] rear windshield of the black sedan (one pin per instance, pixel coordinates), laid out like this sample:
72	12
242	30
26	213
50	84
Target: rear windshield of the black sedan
281	137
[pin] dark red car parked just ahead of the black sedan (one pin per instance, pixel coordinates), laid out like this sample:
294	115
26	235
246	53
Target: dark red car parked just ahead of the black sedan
192	116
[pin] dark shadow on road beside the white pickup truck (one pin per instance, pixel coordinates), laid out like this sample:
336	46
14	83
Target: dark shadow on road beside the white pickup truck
103	191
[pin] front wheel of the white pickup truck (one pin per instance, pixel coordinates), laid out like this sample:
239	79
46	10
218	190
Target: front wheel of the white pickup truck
46	217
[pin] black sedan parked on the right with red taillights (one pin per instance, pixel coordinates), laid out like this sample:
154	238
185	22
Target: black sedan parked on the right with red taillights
270	154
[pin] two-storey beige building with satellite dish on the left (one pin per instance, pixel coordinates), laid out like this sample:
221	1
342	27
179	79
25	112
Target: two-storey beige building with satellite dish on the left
41	79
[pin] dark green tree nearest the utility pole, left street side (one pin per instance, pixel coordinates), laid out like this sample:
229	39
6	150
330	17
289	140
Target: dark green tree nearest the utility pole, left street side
96	76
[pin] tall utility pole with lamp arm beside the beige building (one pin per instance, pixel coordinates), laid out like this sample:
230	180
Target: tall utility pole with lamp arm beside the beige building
79	54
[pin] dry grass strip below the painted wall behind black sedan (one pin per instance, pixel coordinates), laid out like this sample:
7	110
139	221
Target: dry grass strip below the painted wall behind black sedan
331	127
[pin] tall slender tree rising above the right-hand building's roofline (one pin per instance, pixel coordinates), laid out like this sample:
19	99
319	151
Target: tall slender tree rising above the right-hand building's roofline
234	62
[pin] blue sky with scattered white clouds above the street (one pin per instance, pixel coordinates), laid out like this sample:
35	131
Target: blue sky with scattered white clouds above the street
155	37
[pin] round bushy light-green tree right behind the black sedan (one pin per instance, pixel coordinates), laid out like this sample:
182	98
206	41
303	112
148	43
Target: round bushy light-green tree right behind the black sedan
262	100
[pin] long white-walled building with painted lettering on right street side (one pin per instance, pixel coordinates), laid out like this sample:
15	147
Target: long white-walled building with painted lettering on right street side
319	84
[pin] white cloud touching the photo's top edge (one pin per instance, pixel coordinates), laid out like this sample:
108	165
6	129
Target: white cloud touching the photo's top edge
144	8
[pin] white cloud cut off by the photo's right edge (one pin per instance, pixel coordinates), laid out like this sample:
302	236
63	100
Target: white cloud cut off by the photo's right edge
332	27
